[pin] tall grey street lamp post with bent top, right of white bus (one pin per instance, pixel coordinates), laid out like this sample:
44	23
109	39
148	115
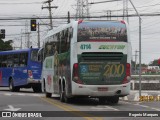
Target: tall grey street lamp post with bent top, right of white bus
139	47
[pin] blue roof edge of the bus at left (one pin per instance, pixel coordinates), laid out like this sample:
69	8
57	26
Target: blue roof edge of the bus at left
17	51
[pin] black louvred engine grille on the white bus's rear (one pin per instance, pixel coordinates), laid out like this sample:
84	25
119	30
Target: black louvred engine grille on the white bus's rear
101	56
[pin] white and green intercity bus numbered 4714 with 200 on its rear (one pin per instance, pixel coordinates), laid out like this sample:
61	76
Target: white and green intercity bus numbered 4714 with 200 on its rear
87	59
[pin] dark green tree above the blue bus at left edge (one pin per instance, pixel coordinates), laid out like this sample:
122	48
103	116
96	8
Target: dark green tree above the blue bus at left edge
6	45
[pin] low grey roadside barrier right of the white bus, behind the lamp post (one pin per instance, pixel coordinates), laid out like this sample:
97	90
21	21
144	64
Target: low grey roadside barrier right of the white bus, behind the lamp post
148	82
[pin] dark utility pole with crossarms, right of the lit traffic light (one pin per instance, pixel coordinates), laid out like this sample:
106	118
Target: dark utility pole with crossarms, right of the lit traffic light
50	11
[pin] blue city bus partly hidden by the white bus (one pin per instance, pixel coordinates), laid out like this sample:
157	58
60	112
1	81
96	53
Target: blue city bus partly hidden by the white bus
20	69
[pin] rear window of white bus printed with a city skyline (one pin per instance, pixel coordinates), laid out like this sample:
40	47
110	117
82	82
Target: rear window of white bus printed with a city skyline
109	31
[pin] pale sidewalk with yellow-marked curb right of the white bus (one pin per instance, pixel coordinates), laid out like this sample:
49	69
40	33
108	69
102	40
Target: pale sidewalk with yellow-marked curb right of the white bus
134	94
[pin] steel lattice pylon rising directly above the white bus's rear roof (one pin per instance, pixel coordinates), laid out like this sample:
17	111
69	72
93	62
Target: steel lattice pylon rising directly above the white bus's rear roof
82	9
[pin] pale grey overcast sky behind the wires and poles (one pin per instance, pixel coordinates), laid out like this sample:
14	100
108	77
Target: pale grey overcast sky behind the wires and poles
32	8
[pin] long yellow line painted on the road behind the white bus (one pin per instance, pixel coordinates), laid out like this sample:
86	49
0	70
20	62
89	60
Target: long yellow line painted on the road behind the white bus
70	109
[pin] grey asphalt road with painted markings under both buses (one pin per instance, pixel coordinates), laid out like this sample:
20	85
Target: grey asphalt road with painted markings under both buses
26	103
